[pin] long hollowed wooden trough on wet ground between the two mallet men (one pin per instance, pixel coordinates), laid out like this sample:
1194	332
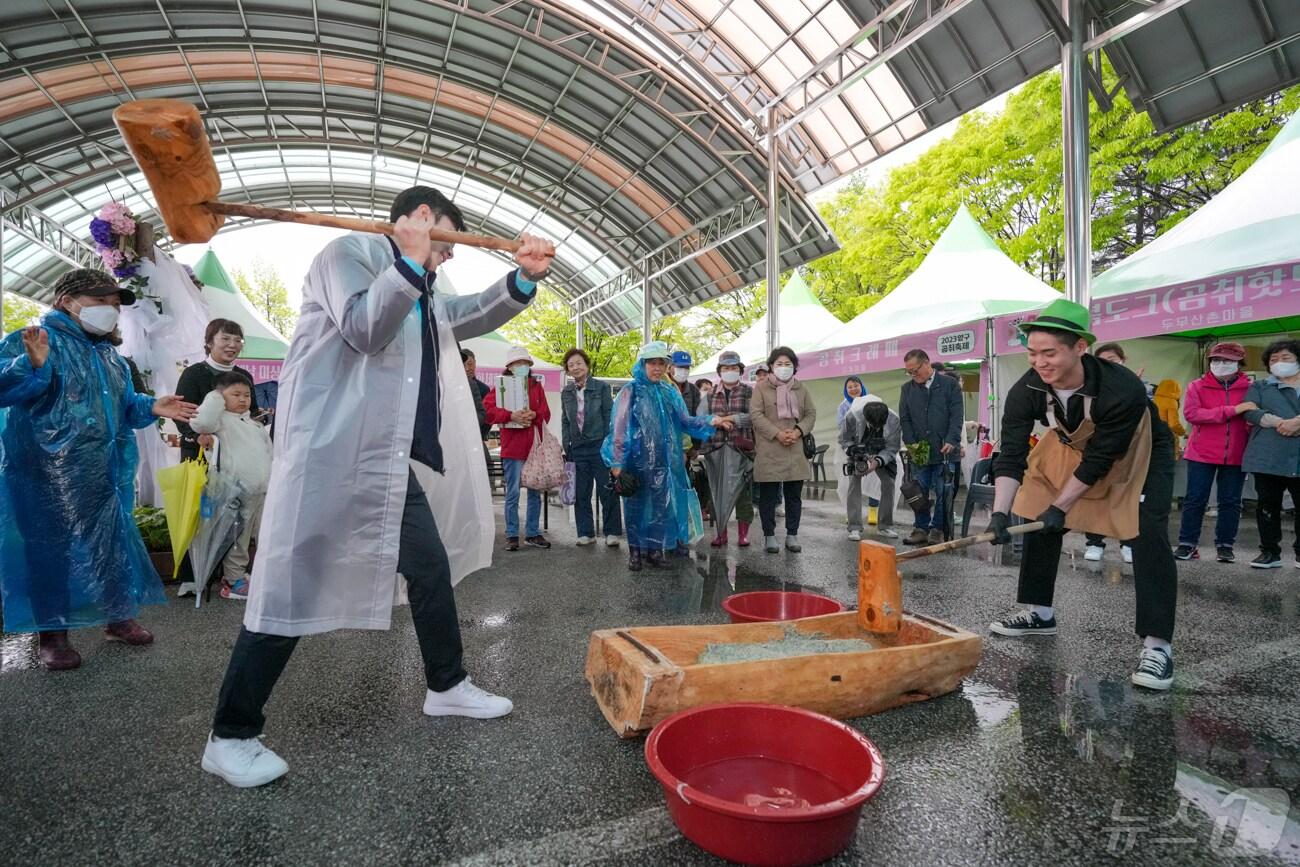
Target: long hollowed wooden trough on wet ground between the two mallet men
643	675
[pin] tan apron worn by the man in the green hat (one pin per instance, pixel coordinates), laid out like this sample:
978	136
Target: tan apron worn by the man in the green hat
1110	508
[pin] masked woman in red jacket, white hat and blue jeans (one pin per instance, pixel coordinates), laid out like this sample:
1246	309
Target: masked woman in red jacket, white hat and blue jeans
517	444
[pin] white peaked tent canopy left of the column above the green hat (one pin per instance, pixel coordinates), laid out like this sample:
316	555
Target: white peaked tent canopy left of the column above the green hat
964	279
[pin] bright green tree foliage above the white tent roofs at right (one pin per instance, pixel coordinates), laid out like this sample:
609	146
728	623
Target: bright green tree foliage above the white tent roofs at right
1008	167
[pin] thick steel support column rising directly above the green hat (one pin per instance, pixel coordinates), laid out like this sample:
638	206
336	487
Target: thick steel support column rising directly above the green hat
1078	190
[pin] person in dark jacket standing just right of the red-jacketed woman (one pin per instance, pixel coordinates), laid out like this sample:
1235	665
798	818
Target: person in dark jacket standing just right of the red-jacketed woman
586	405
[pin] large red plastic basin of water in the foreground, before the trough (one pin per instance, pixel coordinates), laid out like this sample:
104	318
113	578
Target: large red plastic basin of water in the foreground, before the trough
765	784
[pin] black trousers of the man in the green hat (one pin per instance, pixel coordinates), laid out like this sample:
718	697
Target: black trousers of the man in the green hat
1155	571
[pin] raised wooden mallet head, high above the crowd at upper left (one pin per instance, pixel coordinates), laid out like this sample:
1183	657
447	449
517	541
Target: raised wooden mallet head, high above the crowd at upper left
171	146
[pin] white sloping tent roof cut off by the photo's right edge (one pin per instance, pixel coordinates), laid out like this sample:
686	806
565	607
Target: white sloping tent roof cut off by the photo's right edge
1251	224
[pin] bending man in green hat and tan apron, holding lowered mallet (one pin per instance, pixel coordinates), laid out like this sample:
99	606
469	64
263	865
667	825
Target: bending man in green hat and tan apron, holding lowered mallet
1104	466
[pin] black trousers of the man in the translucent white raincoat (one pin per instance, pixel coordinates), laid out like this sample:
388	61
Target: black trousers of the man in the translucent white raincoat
259	660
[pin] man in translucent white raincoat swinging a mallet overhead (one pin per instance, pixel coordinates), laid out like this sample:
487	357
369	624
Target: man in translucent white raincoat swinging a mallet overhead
371	396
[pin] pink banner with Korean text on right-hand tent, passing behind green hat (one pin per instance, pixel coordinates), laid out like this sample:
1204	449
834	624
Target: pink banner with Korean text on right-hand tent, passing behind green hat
1216	304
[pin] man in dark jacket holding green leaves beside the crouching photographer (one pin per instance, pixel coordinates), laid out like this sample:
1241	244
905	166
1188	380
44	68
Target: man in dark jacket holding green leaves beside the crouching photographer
930	410
